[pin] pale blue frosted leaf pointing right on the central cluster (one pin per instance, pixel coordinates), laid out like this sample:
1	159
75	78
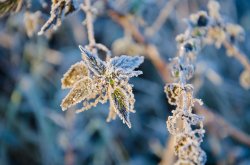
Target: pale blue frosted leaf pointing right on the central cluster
127	63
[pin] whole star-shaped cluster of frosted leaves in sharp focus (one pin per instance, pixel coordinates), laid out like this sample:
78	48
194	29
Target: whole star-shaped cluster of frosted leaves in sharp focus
93	80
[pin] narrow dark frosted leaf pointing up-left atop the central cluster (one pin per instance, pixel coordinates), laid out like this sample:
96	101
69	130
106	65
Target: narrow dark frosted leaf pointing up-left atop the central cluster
94	63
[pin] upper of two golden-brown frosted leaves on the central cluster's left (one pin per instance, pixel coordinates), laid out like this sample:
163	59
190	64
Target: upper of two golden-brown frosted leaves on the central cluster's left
76	72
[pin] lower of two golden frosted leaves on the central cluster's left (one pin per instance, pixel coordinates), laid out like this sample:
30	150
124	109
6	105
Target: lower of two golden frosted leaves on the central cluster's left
81	90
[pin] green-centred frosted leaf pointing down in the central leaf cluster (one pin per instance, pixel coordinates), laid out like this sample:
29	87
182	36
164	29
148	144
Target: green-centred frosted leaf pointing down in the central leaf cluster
121	106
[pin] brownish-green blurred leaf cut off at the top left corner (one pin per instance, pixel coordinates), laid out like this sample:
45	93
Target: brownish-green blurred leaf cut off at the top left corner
10	6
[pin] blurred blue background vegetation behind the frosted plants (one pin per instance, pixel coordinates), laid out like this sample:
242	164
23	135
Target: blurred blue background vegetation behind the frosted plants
34	129
